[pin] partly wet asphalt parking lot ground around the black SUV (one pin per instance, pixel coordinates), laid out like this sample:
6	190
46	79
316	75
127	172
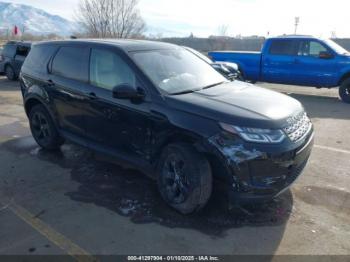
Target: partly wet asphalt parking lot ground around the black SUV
105	208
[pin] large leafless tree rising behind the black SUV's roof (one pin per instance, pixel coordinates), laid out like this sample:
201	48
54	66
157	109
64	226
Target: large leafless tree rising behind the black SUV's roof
110	18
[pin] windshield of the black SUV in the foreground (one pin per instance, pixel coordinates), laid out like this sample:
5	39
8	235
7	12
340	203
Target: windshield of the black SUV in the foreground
177	70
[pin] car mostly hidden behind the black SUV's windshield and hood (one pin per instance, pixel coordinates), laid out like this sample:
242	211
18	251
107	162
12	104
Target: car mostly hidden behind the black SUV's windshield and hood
227	69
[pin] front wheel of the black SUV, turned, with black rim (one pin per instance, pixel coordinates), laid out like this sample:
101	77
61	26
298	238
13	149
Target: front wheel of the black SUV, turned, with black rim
184	178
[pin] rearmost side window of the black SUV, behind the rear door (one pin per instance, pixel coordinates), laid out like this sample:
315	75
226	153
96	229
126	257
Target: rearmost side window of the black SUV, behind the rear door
39	57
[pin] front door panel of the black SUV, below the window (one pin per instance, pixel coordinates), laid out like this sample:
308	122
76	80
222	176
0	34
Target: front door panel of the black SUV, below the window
119	124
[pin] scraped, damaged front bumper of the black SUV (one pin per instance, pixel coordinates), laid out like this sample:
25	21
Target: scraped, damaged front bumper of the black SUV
261	173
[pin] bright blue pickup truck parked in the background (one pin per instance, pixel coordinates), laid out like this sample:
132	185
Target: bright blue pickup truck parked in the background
295	60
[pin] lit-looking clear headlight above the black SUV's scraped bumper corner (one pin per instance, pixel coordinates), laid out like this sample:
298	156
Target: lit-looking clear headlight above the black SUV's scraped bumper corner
256	135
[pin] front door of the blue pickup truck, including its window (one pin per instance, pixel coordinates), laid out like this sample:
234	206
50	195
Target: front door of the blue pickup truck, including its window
310	69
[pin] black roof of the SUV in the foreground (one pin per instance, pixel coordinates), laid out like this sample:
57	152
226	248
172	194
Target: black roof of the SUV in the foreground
127	45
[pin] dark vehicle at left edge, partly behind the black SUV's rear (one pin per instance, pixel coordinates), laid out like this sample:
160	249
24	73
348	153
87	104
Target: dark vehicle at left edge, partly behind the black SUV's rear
12	58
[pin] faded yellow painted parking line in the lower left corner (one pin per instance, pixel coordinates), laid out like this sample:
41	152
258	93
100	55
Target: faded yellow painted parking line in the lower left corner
55	237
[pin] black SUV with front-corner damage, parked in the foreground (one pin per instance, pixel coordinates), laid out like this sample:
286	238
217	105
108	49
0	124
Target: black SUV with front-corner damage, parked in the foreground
168	113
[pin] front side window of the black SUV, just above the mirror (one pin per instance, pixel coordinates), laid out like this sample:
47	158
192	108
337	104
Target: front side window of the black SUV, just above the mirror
108	70
